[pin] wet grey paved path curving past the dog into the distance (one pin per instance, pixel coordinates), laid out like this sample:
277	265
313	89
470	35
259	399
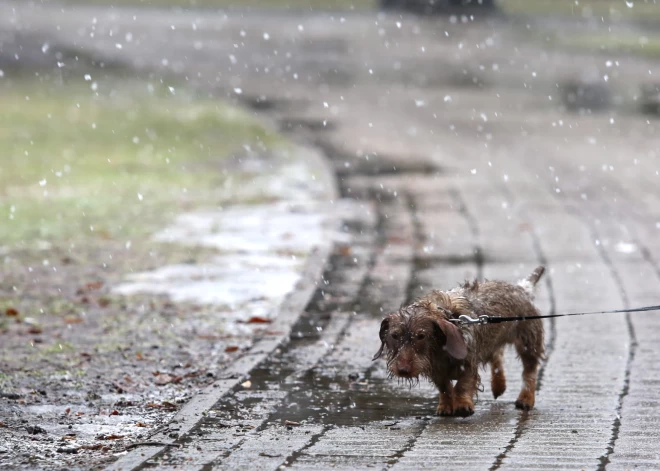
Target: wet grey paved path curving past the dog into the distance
448	138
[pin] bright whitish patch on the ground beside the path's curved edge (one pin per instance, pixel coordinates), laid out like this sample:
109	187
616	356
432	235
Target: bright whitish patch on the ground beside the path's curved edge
265	248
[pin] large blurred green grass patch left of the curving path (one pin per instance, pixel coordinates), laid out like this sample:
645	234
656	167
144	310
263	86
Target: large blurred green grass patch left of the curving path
115	161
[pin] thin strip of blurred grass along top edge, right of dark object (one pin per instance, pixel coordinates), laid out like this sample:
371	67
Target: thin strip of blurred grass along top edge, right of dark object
607	9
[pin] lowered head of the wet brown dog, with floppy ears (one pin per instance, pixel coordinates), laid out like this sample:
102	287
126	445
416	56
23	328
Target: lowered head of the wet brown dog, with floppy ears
415	335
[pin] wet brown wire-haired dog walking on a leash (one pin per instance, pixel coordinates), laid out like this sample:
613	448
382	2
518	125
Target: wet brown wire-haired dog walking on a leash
420	341
